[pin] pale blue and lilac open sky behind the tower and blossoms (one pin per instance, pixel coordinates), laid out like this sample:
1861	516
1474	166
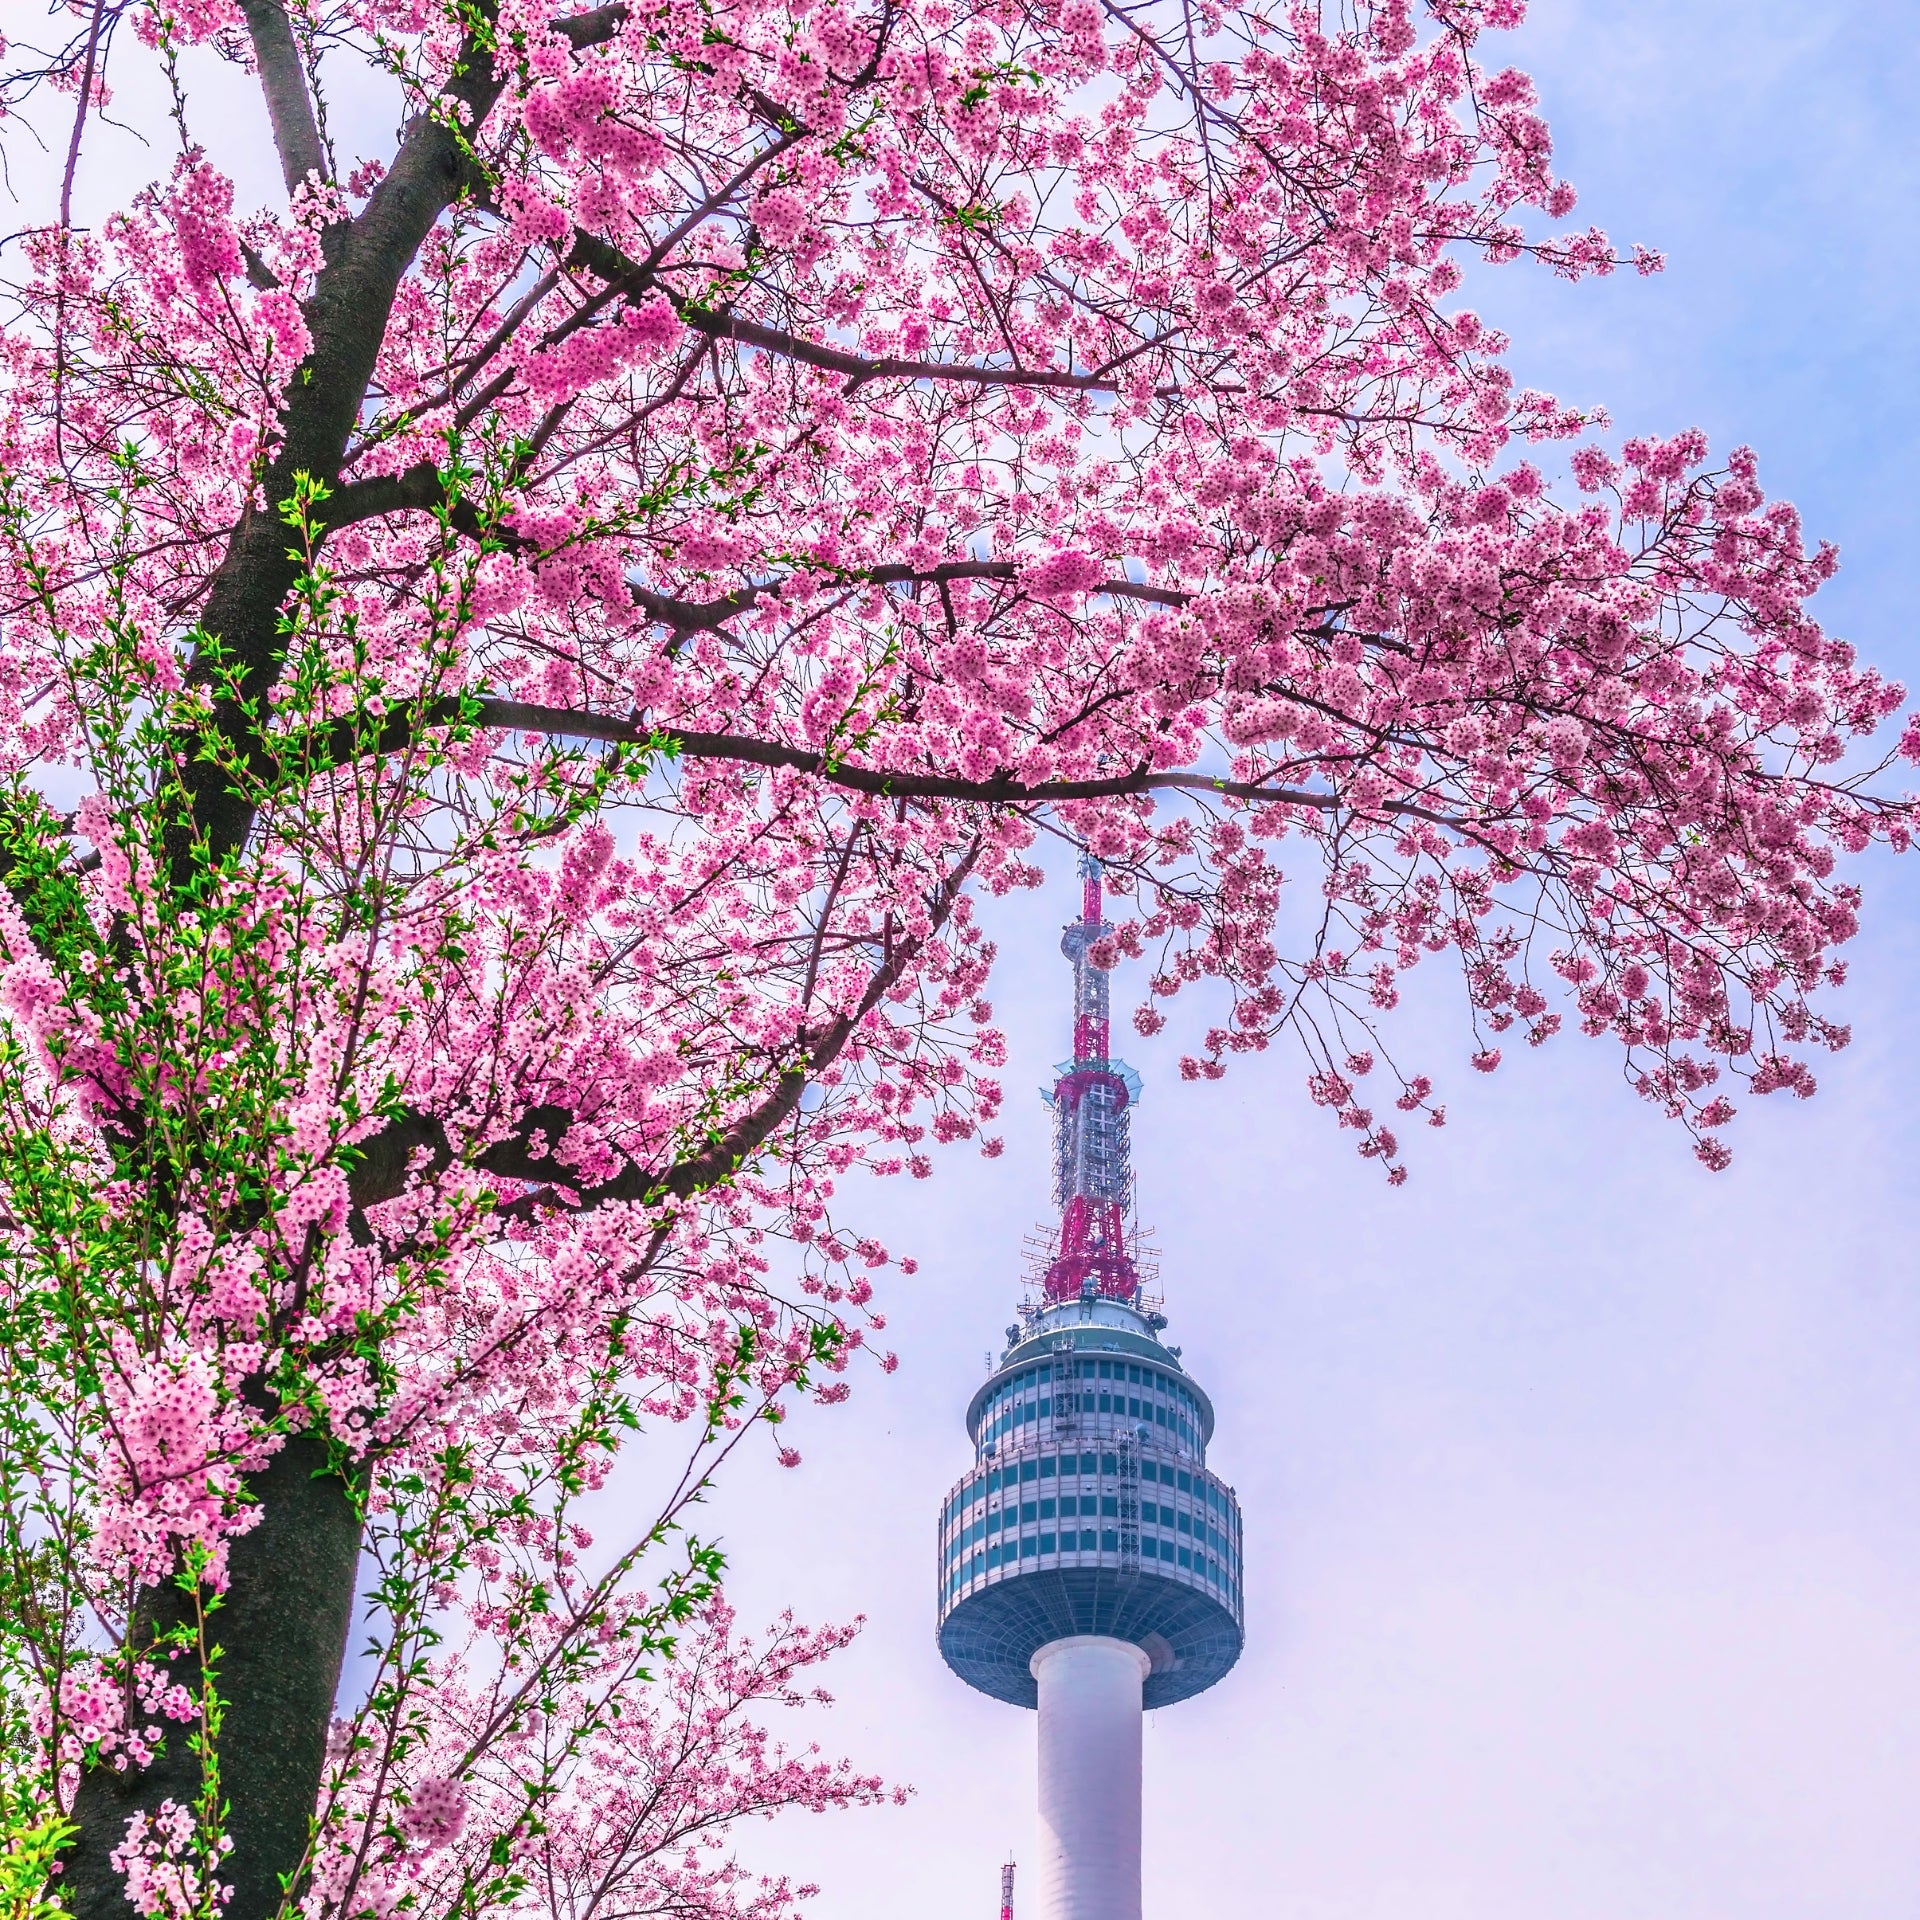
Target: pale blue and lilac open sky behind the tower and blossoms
1579	1483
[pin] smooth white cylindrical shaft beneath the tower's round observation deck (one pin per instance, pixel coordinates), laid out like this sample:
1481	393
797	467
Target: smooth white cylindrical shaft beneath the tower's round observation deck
1090	1777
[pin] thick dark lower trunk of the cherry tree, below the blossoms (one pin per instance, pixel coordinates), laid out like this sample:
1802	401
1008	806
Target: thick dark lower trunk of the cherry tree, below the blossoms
283	1633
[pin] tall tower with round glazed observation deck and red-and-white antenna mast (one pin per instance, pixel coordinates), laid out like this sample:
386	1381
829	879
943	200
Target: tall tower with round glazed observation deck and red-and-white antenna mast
1090	1564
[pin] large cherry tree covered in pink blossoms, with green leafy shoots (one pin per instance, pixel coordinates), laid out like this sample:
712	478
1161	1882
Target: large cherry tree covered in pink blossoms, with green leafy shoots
521	656
